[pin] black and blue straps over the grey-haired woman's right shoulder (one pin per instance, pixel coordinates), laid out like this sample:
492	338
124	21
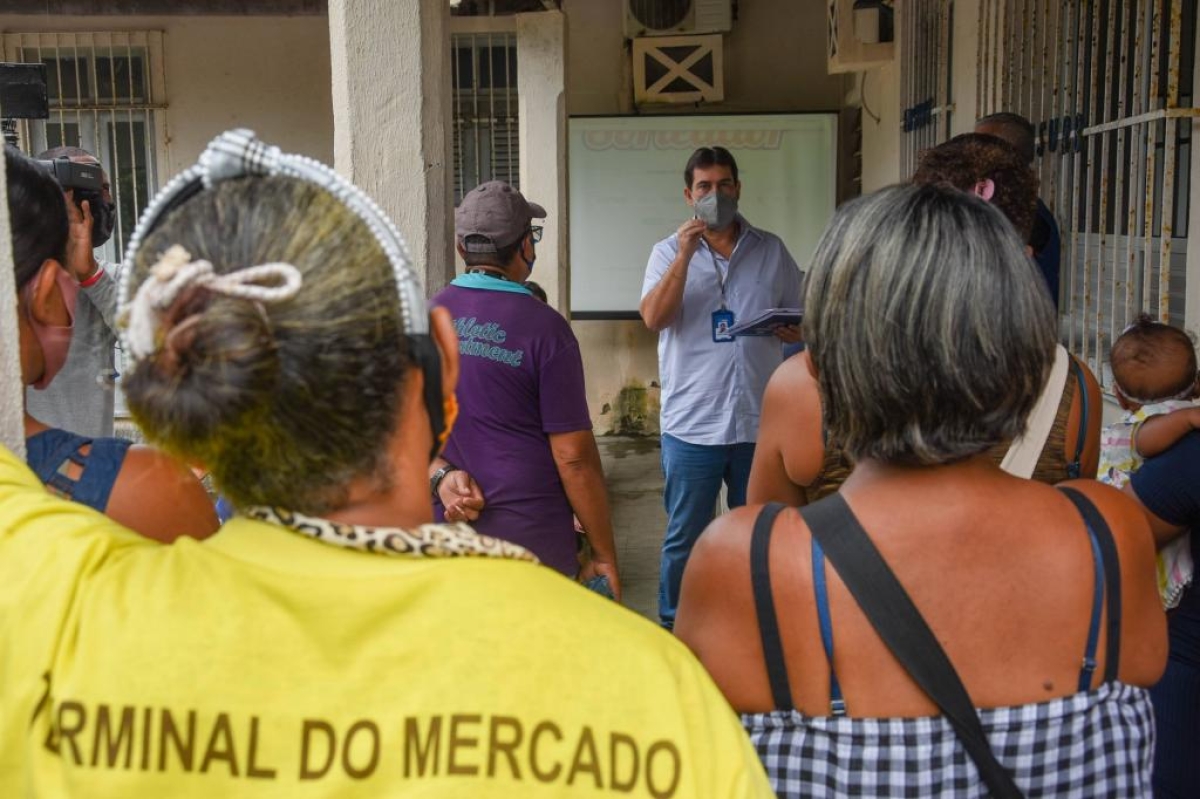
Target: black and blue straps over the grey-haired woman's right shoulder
1107	569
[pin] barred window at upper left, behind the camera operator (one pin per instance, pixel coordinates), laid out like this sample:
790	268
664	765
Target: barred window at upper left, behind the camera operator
105	91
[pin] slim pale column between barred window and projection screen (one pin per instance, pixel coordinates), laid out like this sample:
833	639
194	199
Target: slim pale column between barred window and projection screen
542	88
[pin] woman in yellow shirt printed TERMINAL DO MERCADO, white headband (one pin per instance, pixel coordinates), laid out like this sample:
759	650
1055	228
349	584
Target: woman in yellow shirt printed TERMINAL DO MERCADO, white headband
329	641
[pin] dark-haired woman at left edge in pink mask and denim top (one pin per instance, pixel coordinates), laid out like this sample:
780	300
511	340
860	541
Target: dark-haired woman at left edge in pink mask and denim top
137	486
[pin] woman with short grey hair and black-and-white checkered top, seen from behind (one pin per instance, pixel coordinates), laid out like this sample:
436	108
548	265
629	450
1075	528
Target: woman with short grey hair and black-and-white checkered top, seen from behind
951	585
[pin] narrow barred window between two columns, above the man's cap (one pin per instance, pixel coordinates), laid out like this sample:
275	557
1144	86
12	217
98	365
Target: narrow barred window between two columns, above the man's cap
484	70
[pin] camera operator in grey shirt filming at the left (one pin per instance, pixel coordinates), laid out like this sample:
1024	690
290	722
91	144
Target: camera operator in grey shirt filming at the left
81	398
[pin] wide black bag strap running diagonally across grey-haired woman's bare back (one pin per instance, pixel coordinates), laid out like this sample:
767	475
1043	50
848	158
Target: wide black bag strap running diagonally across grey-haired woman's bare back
901	626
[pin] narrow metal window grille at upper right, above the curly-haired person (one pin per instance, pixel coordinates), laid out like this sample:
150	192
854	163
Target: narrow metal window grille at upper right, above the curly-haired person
926	29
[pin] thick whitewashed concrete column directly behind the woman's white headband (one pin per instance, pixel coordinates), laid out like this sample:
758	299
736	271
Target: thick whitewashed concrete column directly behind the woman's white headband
392	118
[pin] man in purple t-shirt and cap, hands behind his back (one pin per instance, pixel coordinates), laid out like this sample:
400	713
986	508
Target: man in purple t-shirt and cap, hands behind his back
521	456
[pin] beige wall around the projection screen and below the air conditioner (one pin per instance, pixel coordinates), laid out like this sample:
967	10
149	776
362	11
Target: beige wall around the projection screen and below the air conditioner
775	62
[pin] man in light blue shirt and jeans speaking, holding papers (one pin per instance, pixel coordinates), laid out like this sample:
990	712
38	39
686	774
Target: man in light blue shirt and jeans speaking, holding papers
715	272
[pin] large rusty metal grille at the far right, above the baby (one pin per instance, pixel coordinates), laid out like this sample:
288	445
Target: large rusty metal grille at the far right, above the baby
1106	85
